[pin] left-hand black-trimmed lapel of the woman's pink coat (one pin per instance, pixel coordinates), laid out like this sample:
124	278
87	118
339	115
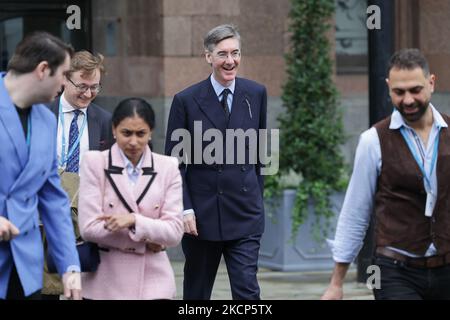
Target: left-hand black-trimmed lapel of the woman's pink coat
116	175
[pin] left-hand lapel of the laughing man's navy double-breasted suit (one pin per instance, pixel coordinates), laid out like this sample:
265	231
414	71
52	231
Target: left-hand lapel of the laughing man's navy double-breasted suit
209	104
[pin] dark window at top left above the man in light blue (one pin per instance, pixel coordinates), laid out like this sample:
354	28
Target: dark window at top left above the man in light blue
20	17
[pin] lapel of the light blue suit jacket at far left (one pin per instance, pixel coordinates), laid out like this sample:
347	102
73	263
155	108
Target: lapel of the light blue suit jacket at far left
11	122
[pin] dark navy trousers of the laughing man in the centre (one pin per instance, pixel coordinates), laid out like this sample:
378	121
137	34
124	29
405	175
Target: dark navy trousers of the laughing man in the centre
202	261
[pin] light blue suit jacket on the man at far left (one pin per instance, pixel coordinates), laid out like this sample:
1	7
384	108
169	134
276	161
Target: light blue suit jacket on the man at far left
29	187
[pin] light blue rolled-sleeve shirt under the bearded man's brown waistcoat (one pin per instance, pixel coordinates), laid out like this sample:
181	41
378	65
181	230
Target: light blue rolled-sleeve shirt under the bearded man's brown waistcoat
359	199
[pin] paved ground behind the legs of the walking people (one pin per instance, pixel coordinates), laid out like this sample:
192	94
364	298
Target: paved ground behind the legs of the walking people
276	285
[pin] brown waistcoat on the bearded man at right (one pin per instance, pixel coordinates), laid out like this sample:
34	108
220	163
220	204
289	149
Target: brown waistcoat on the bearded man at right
400	219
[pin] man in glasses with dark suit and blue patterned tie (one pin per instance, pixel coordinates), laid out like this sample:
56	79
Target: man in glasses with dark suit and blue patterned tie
82	126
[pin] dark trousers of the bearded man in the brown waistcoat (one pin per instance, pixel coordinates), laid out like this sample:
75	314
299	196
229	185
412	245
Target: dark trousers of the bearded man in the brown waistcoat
402	282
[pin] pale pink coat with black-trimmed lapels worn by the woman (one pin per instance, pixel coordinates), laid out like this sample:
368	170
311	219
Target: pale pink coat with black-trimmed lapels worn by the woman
129	270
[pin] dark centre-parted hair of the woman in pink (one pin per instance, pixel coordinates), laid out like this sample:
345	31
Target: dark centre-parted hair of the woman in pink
131	107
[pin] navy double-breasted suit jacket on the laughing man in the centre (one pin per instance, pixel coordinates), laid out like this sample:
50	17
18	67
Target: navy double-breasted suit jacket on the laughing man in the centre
227	198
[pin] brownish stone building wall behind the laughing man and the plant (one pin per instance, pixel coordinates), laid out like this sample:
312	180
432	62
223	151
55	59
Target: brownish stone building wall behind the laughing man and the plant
158	51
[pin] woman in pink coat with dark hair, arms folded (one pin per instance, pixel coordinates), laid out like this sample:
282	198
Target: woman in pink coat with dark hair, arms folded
130	204
